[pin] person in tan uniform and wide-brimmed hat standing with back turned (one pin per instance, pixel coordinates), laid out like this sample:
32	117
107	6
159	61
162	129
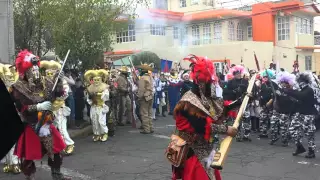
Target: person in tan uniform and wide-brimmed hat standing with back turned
145	98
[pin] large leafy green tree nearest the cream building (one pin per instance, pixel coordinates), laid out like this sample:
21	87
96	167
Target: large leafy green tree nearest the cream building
88	29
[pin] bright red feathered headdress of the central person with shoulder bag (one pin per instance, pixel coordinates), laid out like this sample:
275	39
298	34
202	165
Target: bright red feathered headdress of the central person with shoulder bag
202	69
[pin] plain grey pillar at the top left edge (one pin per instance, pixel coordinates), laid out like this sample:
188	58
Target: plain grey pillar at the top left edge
7	32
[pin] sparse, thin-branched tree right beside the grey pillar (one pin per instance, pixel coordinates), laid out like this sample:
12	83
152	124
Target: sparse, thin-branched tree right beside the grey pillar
29	26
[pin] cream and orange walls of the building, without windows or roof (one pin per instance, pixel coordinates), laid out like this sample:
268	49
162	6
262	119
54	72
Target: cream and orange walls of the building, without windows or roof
264	41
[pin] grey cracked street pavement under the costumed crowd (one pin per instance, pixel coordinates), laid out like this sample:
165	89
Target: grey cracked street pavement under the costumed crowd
133	156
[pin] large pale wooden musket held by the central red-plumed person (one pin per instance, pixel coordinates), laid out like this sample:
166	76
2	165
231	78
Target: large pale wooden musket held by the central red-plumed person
220	156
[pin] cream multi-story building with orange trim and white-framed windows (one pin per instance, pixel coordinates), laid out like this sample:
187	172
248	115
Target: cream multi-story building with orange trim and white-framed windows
275	31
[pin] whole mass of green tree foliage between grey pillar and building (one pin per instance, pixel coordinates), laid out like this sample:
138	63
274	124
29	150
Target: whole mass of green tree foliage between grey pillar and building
86	27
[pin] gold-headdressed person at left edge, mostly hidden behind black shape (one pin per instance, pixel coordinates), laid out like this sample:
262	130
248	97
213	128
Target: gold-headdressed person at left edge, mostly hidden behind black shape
11	161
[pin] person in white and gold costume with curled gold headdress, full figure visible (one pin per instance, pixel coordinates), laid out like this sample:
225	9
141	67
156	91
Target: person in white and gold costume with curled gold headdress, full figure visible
98	94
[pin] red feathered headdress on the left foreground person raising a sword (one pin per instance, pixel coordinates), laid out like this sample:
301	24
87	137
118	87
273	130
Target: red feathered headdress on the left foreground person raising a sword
24	62
